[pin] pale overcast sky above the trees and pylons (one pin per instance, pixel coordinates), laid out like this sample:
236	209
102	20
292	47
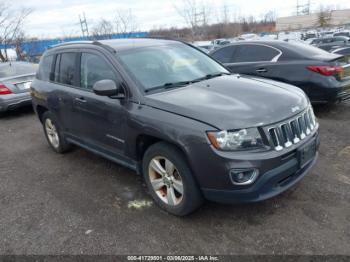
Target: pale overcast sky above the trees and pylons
59	18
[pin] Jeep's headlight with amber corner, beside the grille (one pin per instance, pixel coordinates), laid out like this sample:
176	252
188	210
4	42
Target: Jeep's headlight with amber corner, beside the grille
236	140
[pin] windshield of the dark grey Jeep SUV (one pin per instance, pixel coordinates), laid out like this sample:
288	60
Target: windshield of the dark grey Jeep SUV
169	64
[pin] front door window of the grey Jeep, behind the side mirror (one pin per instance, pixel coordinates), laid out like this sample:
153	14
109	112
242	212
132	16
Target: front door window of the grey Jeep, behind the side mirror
94	68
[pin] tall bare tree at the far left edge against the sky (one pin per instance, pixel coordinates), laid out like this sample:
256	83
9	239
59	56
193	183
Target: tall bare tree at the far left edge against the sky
11	25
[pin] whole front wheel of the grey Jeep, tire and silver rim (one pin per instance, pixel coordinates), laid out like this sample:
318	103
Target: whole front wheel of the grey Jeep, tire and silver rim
169	180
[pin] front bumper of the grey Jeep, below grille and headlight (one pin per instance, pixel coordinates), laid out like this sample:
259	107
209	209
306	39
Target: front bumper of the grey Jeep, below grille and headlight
278	171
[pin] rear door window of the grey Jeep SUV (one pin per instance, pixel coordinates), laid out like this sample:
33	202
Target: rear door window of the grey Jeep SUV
65	68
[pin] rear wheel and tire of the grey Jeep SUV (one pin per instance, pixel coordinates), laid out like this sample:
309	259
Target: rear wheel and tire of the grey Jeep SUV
55	139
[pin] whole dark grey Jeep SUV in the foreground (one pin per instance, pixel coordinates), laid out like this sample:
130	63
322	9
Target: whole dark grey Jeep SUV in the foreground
170	112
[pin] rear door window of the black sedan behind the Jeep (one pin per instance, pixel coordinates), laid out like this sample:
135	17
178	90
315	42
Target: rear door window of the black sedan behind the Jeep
254	53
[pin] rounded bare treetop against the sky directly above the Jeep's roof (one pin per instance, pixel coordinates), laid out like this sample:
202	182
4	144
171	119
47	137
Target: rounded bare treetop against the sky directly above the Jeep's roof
125	22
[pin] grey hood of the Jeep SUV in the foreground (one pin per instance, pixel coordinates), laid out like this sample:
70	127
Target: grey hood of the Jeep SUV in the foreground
232	102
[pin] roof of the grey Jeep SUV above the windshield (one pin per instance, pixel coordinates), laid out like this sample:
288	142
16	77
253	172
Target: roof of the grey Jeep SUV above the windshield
124	44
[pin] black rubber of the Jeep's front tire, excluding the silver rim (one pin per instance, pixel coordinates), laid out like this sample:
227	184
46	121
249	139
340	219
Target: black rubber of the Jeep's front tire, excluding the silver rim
192	197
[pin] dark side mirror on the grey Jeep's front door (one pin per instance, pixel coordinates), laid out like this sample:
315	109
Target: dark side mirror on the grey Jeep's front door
108	87
